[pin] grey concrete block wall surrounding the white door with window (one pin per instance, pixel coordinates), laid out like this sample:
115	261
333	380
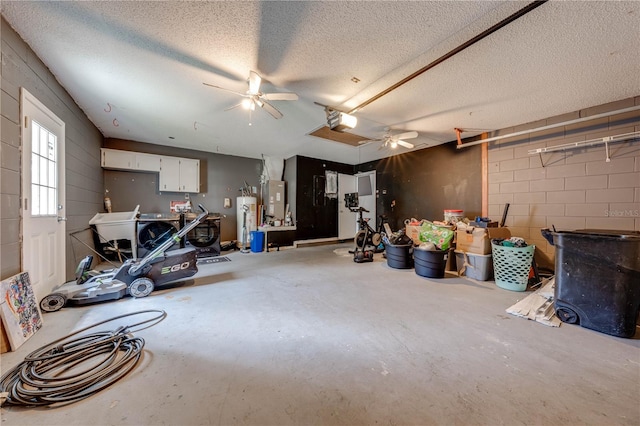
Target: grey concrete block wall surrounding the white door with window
21	67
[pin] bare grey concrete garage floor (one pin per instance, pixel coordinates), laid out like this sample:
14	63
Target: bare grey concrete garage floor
308	337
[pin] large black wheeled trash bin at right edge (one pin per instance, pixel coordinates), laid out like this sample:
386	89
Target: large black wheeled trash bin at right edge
598	279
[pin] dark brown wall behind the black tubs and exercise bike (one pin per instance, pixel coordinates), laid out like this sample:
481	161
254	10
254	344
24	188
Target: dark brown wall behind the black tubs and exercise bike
421	184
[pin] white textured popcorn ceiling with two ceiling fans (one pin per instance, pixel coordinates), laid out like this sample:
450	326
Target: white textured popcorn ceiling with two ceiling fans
137	68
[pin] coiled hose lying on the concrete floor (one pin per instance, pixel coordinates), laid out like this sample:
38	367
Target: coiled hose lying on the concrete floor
68	370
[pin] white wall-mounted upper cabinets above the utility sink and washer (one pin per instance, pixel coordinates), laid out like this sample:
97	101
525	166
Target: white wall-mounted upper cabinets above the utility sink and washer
175	174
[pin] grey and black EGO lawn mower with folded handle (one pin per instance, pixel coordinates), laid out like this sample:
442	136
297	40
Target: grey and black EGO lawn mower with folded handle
136	277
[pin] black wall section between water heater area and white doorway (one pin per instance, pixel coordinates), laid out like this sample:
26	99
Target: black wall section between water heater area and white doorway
316	214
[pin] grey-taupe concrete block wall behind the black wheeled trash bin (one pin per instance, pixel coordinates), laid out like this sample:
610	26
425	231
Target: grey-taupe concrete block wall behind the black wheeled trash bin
569	189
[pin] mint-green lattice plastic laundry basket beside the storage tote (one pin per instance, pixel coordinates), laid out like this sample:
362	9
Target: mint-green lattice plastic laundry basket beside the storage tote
511	266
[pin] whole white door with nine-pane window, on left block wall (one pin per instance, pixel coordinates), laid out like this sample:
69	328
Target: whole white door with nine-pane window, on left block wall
43	195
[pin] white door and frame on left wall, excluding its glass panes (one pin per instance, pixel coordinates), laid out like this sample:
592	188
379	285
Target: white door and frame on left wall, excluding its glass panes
43	252
